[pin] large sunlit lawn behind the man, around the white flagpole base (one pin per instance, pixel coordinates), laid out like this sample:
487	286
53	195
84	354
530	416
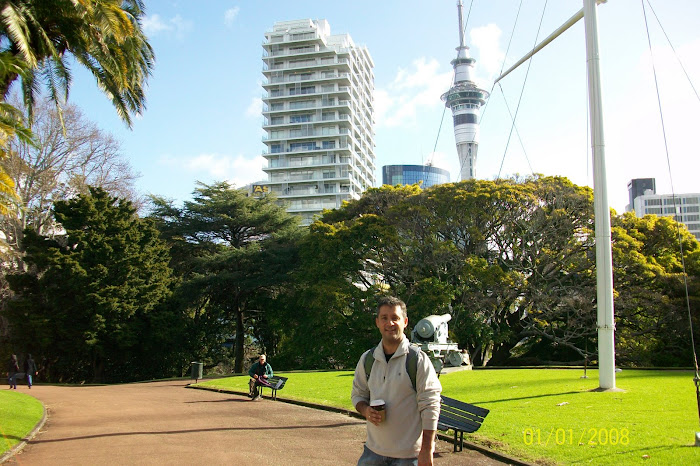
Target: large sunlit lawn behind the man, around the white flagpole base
550	415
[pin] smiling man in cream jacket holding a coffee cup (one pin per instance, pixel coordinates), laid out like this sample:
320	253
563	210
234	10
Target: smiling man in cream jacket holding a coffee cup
407	435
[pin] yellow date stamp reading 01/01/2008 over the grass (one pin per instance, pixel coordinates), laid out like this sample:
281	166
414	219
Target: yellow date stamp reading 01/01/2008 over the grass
581	437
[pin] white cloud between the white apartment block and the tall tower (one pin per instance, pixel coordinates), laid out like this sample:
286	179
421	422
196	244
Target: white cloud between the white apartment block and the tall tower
412	89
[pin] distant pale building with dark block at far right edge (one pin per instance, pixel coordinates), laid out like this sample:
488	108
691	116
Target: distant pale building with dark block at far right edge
684	208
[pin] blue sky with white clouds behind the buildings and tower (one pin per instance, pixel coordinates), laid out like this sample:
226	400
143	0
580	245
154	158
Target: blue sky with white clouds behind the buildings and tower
203	120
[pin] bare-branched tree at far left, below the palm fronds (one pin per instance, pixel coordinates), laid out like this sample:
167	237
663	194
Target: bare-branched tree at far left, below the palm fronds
63	160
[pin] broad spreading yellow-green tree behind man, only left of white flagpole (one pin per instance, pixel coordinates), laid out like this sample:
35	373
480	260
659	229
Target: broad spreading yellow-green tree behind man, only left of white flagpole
499	256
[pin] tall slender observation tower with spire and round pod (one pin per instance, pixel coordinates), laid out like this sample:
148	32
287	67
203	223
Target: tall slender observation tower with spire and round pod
465	99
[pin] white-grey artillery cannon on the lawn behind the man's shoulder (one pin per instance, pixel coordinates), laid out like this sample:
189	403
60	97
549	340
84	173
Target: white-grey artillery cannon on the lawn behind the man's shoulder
431	335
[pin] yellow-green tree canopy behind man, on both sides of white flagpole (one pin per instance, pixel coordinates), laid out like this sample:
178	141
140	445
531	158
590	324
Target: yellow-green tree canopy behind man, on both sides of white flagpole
512	261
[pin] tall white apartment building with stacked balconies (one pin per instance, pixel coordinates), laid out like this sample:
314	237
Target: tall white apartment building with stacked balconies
318	116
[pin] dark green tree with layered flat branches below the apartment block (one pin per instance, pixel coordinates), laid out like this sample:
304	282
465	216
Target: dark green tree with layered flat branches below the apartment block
233	252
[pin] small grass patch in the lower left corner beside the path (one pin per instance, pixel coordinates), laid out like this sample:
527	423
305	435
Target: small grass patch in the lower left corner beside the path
19	413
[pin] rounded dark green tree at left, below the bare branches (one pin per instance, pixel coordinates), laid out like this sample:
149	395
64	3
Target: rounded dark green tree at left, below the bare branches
94	293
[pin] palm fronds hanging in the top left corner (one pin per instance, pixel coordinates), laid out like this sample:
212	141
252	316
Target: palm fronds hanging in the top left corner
104	36
